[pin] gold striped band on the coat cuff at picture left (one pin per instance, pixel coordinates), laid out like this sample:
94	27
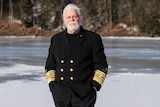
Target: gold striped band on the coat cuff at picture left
50	76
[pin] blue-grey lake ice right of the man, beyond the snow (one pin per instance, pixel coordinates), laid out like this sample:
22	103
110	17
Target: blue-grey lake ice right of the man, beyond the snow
133	55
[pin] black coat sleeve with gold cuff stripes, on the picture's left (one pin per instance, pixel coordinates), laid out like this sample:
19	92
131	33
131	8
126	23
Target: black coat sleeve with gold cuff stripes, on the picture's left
50	64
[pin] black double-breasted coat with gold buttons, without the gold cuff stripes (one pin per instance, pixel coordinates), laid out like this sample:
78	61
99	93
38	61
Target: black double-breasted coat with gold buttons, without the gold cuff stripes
75	63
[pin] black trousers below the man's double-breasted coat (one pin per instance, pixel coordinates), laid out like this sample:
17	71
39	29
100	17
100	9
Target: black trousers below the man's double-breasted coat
65	96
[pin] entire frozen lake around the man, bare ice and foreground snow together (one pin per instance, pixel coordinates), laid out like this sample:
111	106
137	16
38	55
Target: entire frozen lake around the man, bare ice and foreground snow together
133	77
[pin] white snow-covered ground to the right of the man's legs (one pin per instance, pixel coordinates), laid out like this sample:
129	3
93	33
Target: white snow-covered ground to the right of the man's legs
132	90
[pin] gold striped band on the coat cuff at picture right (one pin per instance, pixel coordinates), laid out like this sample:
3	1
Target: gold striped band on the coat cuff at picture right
99	77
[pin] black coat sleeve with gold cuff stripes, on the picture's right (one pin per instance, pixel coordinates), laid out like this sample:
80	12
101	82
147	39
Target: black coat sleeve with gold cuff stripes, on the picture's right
100	63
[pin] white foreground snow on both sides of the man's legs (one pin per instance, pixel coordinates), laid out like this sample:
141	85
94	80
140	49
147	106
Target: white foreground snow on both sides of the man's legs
119	90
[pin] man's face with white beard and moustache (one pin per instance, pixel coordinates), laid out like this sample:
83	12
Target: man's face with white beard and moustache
71	20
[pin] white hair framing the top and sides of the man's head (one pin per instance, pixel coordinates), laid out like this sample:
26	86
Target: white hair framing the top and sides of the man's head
72	6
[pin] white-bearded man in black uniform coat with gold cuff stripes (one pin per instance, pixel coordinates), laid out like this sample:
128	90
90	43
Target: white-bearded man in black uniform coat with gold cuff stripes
76	66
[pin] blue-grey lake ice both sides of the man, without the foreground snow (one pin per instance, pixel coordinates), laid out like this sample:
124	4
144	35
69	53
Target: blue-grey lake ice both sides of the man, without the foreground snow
123	55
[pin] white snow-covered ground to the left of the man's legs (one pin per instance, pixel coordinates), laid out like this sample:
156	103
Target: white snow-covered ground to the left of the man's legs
28	94
